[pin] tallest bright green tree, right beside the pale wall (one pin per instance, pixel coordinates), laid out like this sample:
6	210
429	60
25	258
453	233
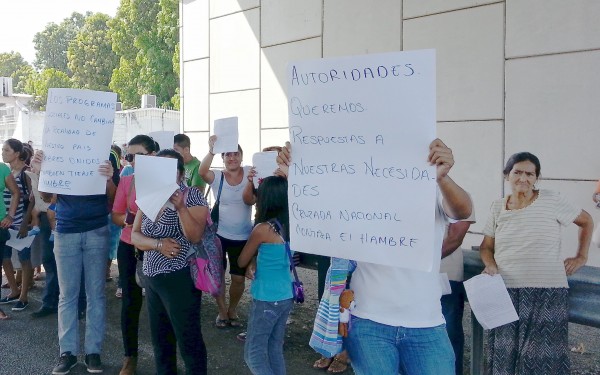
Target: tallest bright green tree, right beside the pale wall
144	34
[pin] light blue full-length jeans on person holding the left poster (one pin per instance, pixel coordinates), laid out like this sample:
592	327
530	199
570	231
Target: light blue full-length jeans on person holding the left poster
76	252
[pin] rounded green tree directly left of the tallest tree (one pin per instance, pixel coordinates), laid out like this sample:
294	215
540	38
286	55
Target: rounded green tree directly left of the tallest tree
90	55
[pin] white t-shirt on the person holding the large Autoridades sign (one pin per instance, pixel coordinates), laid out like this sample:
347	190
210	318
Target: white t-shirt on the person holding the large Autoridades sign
401	297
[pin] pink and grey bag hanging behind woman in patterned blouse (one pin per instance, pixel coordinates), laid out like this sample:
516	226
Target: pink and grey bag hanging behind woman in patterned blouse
206	261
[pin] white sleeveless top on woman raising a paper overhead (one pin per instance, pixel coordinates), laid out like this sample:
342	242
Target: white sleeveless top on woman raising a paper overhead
234	214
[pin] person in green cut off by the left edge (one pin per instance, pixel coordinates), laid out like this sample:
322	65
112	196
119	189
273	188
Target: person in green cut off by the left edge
7	214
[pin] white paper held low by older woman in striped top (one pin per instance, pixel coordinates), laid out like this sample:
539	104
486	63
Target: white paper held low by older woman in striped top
489	301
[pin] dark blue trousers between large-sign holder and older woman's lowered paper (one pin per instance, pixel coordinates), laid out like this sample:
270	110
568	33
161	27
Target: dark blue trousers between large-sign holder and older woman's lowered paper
453	307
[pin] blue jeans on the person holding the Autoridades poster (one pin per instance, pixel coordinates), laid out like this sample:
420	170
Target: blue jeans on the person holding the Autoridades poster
376	348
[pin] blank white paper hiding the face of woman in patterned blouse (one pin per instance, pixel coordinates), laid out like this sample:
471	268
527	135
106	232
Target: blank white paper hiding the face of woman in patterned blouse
155	181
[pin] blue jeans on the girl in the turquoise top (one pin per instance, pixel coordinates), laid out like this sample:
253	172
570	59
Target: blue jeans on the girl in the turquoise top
263	351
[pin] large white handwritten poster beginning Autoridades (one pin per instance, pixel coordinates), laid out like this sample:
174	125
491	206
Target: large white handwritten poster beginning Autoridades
360	186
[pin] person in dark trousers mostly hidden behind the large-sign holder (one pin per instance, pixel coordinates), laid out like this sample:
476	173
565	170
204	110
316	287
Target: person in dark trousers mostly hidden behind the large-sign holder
453	304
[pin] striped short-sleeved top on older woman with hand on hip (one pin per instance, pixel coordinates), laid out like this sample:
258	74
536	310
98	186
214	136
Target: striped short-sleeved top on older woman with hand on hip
527	241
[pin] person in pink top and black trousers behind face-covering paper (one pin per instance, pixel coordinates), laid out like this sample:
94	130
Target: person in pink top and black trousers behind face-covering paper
123	212
